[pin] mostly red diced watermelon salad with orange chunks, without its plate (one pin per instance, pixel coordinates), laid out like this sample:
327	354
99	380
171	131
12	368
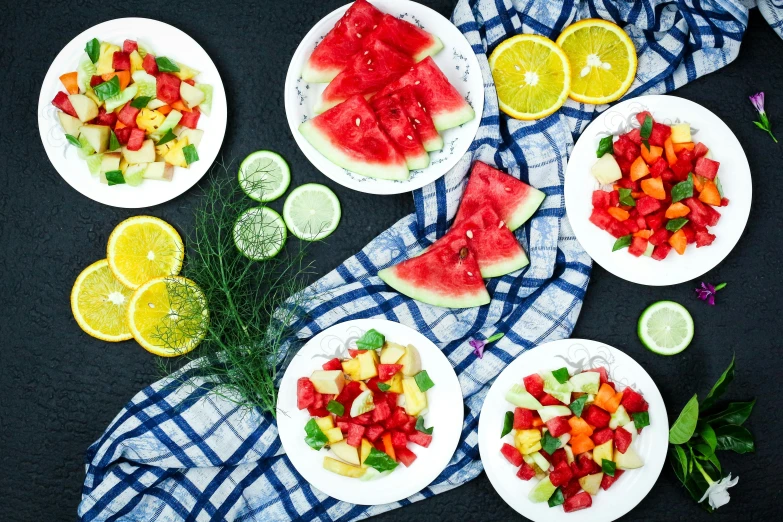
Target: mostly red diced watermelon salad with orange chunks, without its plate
665	188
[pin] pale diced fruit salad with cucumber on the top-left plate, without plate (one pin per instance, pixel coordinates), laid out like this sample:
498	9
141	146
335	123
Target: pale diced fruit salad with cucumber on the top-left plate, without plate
132	115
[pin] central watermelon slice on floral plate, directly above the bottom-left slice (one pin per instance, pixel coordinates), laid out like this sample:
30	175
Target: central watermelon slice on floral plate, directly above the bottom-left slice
367	73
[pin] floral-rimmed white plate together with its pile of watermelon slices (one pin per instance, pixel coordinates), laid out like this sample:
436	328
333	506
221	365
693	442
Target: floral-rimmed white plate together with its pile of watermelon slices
384	96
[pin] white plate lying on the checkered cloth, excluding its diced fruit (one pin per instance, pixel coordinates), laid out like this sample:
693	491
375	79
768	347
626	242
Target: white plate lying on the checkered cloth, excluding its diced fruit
445	415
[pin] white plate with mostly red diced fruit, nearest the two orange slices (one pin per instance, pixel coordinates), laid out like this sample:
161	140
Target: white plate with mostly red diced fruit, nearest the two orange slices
658	190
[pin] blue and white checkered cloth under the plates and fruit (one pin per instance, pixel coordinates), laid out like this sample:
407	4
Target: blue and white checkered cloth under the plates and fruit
177	454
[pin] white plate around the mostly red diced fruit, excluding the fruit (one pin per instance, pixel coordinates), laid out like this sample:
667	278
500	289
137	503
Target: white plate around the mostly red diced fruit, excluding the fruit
734	175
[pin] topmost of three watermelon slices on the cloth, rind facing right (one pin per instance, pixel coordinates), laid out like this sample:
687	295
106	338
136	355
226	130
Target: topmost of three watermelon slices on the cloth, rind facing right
511	199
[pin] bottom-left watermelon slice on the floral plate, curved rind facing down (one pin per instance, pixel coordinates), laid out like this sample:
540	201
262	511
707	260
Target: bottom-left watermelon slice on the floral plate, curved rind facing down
349	136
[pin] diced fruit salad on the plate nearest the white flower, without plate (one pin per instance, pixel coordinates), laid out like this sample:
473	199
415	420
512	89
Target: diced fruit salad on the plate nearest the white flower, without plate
574	433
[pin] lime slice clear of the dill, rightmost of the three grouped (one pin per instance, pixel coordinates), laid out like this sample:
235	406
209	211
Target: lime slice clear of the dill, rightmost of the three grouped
312	212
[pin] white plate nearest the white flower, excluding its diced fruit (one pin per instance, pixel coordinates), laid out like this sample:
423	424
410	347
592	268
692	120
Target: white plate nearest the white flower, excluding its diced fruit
575	354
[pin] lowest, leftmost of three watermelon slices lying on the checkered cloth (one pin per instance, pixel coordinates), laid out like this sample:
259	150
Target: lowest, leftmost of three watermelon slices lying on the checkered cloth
446	275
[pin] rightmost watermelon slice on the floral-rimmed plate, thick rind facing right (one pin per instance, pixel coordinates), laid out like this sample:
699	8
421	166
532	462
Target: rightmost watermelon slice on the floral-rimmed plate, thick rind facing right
440	99
